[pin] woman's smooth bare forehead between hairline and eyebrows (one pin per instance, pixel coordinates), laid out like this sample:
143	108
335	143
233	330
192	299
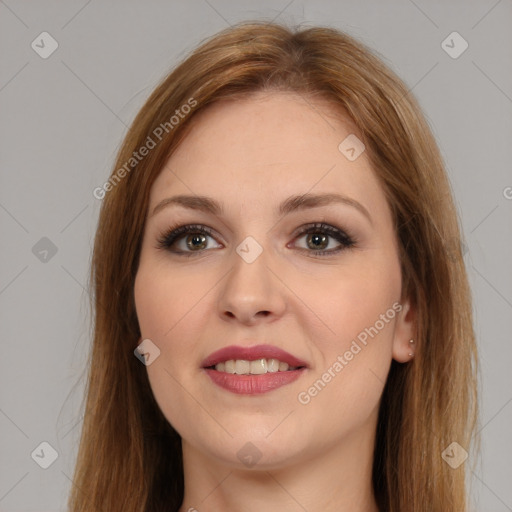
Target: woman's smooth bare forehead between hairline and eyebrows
265	147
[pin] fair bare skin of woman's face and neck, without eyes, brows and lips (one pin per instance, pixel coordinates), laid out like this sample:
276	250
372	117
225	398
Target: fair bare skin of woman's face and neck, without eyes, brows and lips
251	155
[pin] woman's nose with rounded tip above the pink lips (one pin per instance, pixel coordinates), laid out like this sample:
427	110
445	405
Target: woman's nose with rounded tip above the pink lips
252	292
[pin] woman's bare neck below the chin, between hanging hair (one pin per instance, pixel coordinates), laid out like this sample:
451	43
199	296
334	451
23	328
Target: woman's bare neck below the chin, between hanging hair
337	478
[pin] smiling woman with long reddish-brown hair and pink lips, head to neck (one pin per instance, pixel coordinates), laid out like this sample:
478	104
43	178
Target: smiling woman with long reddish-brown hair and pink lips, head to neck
279	248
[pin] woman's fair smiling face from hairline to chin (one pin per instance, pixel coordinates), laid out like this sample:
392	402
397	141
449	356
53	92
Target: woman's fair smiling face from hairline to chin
278	266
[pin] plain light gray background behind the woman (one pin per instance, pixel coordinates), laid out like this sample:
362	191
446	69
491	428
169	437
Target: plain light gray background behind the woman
63	119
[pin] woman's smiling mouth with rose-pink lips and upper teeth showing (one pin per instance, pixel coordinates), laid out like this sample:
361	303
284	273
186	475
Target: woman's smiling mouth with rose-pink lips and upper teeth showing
252	370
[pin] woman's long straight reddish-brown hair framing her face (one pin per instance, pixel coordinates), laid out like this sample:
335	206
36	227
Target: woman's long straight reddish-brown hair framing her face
129	457
